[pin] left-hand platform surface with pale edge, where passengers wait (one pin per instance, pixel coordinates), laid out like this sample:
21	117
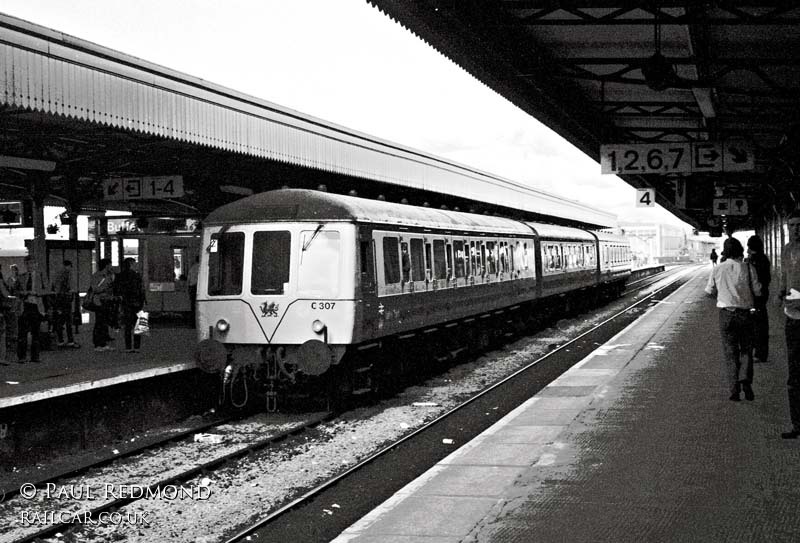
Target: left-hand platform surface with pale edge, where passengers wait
167	349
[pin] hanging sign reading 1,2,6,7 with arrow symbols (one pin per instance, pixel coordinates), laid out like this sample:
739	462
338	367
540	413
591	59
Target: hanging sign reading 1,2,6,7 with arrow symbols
665	158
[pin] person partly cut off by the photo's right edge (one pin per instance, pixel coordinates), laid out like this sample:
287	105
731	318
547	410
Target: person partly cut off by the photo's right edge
790	294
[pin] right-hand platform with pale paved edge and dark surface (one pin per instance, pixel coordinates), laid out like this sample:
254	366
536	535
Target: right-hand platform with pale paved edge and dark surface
637	442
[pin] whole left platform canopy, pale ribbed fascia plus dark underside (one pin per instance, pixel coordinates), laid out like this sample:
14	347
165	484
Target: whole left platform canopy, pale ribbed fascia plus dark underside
91	128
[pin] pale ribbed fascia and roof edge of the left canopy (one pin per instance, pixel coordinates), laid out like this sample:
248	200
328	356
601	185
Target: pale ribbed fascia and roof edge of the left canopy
58	77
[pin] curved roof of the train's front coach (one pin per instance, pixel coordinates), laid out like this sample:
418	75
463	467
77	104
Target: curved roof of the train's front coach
302	205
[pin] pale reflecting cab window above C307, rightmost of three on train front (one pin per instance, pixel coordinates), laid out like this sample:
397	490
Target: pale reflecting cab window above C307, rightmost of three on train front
320	250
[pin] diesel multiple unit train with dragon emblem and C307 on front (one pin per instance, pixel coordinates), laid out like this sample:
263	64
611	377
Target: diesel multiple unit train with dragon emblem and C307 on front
302	285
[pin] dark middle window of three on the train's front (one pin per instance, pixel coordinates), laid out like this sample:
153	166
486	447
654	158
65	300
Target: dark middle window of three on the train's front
270	268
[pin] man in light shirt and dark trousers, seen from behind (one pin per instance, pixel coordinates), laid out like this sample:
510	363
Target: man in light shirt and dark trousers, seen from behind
735	283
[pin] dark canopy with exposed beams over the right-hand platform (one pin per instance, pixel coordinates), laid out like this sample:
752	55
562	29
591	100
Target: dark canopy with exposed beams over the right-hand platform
696	100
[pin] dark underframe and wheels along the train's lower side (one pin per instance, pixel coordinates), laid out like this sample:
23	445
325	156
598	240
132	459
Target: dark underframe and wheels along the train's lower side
292	377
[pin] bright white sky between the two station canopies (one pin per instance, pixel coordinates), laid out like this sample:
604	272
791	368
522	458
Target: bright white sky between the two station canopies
345	62
